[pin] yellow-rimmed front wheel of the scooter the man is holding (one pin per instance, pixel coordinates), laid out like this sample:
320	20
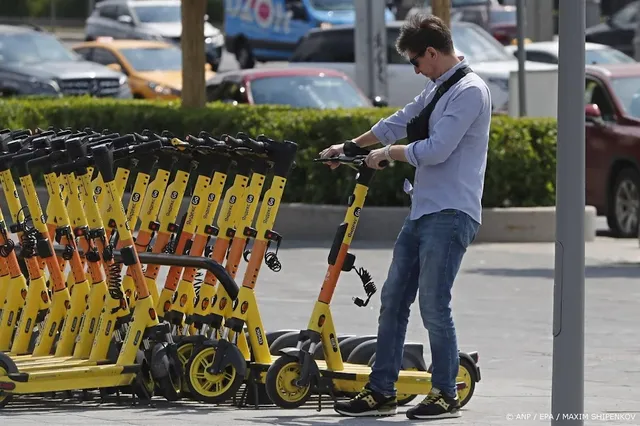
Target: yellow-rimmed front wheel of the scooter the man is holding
280	383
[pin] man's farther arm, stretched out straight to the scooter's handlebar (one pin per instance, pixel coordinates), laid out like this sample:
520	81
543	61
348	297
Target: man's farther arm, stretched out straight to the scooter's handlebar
393	128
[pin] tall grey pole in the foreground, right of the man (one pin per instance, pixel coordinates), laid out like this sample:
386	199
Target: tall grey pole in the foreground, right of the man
567	392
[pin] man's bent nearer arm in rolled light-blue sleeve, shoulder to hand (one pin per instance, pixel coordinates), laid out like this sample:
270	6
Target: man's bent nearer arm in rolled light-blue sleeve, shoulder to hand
460	113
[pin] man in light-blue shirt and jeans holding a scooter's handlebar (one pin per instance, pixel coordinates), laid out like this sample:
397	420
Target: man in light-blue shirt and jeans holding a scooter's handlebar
448	147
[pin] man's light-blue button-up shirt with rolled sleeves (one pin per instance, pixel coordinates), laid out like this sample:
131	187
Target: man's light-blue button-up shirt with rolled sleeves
450	164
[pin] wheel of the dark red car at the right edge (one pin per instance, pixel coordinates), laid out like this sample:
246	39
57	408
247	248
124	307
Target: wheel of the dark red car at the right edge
624	205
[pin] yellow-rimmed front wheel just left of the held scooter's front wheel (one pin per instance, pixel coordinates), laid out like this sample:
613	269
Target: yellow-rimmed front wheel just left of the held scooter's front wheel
215	388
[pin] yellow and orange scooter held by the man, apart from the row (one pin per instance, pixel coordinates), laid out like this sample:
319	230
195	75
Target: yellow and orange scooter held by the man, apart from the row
298	373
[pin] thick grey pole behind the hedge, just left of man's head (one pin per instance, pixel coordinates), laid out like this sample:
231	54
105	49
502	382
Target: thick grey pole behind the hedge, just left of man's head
370	37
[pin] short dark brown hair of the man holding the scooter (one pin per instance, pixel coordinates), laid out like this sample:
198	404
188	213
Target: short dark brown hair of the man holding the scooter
421	31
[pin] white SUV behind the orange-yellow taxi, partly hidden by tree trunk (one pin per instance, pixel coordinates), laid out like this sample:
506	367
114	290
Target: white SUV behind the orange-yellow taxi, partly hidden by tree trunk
148	20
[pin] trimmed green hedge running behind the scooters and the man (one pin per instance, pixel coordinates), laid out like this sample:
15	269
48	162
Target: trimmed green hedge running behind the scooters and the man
520	169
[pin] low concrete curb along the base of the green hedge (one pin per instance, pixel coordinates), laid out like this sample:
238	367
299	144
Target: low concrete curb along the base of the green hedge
312	222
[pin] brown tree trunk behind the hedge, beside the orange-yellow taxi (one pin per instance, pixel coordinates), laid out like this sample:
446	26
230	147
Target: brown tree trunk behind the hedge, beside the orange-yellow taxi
193	60
